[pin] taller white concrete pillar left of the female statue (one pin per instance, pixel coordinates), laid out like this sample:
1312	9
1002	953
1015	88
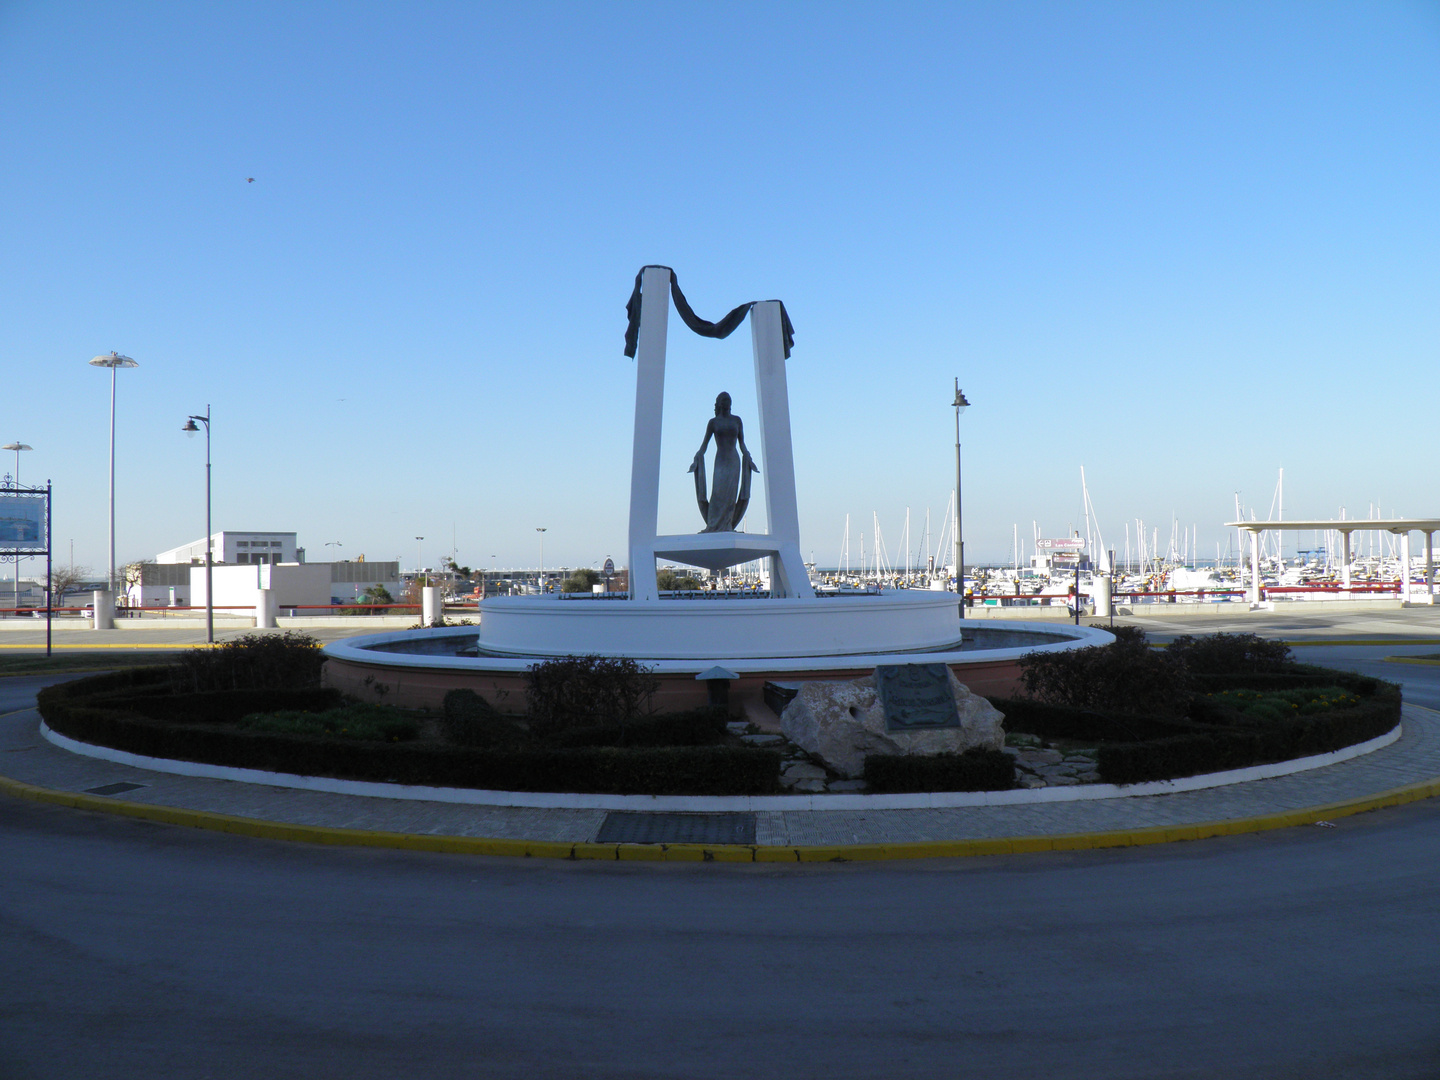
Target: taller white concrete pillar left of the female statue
650	404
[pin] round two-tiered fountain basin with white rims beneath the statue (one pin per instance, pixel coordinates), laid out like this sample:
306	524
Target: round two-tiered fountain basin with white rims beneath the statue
832	639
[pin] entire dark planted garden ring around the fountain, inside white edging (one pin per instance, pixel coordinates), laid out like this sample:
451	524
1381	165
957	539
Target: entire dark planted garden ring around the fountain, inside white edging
1115	715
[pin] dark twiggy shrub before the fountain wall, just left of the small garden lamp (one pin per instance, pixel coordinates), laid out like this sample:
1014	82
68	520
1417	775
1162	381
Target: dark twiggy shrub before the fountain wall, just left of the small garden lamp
588	692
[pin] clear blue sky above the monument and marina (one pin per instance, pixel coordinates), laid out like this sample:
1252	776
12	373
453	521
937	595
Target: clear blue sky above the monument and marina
1183	246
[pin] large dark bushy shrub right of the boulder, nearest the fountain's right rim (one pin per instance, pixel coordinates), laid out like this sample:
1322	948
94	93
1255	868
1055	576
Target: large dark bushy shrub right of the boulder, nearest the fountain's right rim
1127	676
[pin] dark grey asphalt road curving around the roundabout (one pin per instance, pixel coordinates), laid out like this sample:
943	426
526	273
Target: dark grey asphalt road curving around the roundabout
138	950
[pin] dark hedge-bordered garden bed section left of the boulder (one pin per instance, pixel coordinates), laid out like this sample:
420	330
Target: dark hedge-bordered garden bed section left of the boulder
310	731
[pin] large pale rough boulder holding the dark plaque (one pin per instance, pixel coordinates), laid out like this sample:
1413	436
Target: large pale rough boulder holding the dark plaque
843	722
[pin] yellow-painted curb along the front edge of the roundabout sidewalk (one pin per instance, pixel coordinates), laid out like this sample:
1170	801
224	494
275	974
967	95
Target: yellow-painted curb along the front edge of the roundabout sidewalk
719	853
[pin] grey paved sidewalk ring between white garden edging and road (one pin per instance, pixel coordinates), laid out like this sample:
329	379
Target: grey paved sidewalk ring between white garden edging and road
1400	773
